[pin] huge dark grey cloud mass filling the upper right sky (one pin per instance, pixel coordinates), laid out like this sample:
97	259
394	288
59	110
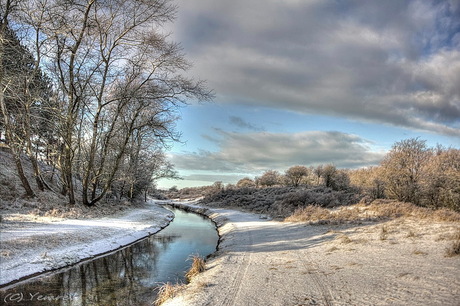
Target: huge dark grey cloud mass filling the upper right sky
392	62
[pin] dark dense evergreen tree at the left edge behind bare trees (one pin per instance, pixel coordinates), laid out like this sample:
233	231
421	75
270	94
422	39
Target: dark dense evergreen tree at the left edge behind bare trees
25	93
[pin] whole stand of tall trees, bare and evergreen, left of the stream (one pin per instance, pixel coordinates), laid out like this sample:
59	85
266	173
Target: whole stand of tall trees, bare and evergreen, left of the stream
92	89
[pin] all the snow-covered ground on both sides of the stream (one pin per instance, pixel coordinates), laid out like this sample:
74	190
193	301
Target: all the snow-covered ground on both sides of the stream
261	261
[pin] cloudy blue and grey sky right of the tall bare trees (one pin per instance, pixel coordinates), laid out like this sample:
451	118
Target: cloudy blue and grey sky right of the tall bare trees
310	82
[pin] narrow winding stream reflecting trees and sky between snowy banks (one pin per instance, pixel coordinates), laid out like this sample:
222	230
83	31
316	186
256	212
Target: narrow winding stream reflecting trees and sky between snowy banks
130	276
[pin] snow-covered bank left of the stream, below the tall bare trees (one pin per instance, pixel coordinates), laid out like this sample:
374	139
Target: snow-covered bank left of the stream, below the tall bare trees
28	248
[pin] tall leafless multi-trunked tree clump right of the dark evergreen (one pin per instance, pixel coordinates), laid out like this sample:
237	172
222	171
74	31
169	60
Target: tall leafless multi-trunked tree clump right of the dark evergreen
114	75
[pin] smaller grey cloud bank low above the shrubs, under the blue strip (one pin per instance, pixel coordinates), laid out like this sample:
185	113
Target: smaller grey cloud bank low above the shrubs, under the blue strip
257	152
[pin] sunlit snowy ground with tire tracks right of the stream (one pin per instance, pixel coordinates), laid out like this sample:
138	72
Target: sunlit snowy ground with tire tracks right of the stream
264	262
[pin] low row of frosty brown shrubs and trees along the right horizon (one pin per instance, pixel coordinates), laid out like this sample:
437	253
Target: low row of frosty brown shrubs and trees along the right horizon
410	172
